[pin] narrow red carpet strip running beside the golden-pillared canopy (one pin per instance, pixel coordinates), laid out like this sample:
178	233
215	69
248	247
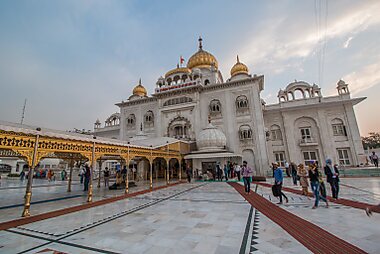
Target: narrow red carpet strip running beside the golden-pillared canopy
44	216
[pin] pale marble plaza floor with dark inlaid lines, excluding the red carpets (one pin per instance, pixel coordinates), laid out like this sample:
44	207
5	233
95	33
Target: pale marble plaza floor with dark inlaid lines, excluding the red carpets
198	217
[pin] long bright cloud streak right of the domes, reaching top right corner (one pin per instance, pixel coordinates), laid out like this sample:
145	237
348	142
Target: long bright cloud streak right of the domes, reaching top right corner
280	43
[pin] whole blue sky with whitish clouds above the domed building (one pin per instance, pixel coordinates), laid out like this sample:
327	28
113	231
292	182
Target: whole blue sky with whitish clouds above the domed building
73	60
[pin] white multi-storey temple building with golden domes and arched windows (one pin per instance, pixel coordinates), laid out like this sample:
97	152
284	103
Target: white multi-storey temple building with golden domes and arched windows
297	129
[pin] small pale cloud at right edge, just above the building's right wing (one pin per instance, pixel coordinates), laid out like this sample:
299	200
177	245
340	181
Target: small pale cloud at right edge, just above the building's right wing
363	79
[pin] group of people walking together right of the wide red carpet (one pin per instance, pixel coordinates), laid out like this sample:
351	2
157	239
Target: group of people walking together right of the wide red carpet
313	175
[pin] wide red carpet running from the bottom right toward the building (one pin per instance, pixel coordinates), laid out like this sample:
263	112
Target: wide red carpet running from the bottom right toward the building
310	235
